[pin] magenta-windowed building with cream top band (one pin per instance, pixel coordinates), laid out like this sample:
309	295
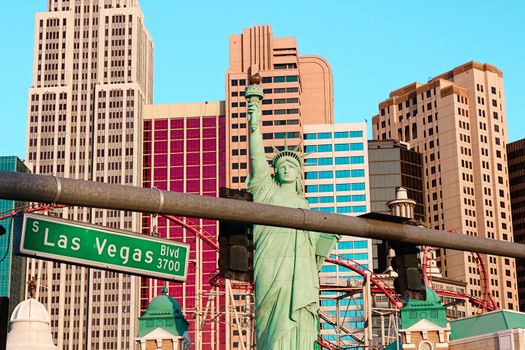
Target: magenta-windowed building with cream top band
184	151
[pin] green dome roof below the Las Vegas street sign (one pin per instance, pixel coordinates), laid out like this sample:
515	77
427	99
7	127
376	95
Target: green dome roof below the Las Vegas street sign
163	312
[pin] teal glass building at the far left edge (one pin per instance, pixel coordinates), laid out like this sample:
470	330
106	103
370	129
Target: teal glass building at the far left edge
12	267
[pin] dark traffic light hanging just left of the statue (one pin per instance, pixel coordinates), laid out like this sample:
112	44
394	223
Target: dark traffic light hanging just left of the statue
236	243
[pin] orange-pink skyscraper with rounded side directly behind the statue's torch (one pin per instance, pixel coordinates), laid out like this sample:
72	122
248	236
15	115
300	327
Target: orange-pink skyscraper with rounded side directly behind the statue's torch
298	90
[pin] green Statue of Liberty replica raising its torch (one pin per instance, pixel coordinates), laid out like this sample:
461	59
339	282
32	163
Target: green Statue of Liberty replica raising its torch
286	261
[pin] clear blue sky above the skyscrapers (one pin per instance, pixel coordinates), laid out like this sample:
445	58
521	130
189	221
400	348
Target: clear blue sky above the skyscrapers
372	46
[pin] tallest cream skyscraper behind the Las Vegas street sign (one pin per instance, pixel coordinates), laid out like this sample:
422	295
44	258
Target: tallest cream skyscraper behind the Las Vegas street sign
92	74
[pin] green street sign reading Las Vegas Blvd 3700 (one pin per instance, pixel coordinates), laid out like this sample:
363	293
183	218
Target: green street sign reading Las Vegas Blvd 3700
79	243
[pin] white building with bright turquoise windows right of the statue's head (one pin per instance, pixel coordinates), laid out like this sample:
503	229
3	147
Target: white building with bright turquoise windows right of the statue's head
336	181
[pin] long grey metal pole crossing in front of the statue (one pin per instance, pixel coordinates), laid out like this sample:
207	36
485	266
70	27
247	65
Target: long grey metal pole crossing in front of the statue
51	189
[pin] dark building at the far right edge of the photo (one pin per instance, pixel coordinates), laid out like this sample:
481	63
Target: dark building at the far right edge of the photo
516	165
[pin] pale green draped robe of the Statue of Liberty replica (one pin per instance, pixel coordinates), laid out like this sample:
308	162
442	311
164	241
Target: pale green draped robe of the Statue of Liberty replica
285	274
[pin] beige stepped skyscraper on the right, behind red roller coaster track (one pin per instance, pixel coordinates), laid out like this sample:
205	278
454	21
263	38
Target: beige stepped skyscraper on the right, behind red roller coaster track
458	122
